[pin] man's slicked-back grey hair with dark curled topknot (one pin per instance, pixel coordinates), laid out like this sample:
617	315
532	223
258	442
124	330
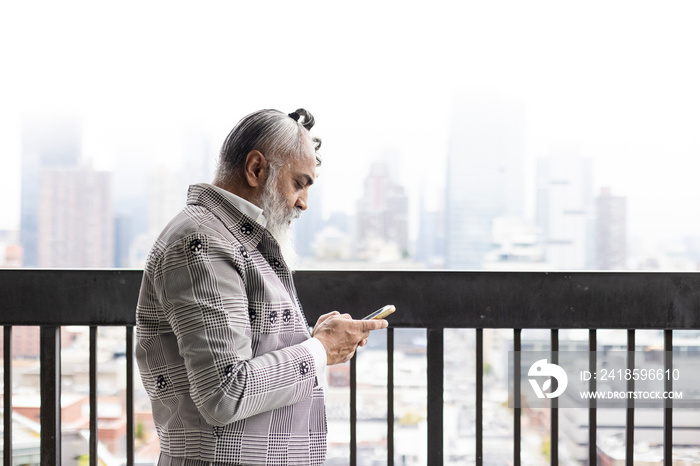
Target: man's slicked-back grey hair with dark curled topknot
276	135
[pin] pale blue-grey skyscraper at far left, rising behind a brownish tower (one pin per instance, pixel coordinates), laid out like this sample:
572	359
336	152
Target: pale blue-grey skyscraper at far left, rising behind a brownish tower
48	141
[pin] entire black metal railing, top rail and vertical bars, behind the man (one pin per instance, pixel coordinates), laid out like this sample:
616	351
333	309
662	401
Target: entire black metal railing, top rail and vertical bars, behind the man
435	301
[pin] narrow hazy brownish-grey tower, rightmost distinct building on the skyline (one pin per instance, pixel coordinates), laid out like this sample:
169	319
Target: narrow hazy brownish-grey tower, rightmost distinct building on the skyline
611	231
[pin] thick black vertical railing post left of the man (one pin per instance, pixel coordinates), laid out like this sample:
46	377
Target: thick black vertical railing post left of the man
50	376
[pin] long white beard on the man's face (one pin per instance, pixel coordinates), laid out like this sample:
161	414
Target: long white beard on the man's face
279	218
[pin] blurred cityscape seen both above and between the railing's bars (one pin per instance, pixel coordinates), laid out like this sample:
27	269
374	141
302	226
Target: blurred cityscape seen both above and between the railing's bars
76	216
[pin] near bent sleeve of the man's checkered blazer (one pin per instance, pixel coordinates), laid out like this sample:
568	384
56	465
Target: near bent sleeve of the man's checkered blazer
205	302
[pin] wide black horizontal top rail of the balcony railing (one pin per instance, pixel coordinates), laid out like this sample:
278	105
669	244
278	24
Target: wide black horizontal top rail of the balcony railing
424	299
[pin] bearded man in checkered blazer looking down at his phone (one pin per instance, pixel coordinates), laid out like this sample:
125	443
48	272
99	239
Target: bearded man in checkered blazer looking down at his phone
225	353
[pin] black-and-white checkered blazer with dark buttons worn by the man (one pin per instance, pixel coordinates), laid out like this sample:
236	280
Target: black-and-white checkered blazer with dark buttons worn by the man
218	327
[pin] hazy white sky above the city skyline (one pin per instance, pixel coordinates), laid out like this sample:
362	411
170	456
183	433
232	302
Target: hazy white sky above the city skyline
618	80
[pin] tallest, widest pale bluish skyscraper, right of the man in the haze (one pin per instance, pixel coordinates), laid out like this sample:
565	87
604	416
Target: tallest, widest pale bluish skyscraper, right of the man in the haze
484	177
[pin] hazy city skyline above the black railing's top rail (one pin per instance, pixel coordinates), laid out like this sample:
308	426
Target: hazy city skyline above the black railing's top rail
74	215
